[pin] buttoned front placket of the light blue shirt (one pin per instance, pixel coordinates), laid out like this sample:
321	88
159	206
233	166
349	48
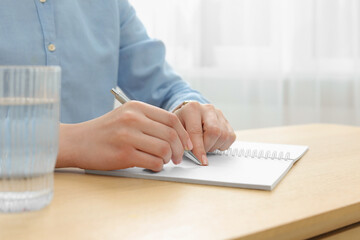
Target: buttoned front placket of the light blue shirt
46	17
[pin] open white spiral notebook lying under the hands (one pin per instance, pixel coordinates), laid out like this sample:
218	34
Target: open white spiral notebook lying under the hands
243	165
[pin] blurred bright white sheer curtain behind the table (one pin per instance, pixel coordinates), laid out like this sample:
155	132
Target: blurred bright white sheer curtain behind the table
265	62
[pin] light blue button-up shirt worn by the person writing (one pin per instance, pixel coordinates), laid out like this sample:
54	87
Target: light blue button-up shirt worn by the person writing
99	45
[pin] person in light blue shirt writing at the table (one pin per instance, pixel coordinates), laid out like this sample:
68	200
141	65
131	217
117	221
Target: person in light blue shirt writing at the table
100	45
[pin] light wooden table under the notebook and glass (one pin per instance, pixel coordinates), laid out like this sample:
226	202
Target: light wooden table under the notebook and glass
321	193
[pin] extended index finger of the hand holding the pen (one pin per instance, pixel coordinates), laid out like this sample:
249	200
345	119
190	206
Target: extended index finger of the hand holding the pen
169	119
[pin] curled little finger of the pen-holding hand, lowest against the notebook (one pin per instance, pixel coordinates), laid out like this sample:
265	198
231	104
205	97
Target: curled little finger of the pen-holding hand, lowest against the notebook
145	160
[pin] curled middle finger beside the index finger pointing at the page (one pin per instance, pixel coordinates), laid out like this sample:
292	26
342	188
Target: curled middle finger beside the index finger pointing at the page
211	128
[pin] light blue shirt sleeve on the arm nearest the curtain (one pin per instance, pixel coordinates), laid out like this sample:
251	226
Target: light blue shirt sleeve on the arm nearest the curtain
144	74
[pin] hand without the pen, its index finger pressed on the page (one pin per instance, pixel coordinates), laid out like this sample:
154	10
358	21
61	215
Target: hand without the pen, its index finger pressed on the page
208	128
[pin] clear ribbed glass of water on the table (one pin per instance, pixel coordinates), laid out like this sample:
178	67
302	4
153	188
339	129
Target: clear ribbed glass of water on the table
29	136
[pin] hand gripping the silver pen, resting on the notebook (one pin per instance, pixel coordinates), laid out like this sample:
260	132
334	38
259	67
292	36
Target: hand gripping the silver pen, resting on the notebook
134	135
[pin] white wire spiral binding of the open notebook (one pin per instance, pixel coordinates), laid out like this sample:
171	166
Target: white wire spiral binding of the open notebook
254	153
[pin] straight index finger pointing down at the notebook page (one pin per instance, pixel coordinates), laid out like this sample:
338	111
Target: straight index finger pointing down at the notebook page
190	115
